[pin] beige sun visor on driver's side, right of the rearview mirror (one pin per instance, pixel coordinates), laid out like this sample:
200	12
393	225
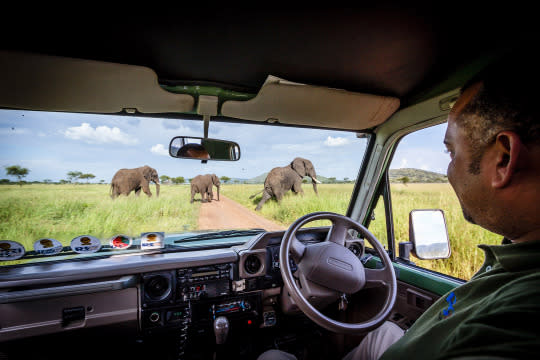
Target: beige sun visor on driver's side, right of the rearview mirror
285	102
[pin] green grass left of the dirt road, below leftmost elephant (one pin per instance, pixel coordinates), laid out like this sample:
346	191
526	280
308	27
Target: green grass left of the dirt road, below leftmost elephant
63	212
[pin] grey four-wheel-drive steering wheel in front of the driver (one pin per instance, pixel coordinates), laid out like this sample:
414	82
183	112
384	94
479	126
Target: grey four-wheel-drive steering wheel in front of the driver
329	270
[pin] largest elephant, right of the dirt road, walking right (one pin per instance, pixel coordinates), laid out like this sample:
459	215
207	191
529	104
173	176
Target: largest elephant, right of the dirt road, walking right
282	179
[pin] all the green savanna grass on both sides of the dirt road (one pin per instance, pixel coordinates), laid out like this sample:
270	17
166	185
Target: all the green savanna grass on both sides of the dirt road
63	212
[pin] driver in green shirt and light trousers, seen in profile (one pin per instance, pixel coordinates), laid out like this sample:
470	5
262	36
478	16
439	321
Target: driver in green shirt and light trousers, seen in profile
493	138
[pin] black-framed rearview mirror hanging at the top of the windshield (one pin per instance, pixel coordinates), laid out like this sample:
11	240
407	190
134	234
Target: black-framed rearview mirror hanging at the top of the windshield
203	149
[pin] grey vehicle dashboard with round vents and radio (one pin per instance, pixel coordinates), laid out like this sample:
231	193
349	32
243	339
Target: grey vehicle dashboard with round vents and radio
180	292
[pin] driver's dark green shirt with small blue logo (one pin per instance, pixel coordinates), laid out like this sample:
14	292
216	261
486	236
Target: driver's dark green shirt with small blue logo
495	314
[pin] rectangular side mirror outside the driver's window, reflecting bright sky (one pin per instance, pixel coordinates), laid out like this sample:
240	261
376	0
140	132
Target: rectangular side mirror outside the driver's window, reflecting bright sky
428	234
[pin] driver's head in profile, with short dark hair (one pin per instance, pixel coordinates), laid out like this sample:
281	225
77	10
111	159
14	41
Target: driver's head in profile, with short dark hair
493	140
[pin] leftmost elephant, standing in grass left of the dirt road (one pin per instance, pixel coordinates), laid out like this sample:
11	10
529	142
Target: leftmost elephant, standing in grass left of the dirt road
127	180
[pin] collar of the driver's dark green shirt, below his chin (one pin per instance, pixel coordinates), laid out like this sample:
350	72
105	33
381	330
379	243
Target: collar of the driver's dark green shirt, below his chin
515	256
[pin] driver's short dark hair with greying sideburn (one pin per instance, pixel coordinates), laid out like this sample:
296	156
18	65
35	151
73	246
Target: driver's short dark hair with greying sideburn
507	100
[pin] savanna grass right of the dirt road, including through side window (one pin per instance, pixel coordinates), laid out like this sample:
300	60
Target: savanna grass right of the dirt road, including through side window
466	257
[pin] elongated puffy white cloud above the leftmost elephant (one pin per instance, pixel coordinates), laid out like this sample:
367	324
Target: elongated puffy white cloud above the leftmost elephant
99	135
